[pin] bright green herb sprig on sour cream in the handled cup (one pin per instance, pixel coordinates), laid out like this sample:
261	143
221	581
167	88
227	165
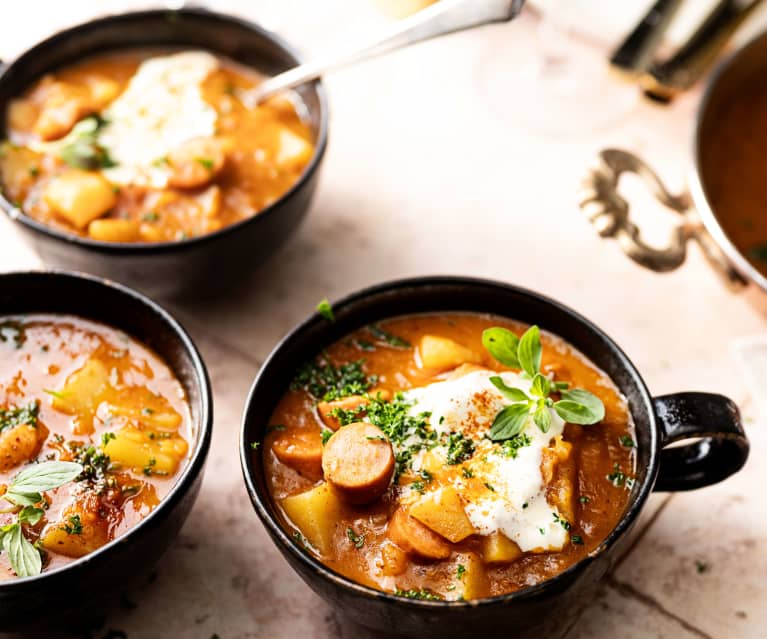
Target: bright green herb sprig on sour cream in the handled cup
576	406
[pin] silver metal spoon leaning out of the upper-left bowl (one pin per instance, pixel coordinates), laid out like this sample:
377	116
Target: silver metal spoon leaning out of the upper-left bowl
446	16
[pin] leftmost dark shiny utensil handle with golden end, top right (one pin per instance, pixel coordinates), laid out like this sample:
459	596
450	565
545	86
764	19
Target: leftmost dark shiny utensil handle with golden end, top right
635	53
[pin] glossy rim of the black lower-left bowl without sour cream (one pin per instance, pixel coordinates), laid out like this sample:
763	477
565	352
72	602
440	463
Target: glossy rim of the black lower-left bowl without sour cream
205	425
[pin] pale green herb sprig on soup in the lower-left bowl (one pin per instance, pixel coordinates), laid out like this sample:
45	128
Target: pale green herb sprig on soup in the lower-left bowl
25	494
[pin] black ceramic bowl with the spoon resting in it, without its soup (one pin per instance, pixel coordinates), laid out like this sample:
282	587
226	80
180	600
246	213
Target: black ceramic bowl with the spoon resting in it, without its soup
201	265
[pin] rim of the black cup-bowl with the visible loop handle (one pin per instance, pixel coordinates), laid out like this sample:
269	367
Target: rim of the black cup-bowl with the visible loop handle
261	502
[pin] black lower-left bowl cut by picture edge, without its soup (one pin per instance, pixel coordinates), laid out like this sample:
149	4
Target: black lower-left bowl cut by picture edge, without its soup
77	591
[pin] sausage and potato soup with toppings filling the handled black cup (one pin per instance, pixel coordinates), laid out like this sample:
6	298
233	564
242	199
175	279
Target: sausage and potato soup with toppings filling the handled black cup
446	457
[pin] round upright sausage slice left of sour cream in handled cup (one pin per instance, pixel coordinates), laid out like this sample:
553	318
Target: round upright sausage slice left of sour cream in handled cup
358	462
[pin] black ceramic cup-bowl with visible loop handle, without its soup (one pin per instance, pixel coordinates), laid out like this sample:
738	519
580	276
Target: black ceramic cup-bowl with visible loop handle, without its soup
548	609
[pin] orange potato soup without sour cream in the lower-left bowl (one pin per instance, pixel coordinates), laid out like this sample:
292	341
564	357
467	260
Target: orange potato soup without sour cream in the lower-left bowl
93	429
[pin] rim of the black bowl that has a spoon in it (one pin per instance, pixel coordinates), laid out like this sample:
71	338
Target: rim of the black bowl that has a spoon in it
16	214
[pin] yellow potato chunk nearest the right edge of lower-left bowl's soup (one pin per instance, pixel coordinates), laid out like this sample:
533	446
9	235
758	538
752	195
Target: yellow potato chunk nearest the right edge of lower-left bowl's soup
147	451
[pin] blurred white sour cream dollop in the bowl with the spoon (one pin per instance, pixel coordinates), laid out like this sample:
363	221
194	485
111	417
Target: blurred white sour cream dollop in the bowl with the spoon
161	108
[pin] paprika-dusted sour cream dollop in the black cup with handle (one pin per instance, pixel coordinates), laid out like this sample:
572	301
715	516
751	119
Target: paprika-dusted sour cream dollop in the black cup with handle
506	494
